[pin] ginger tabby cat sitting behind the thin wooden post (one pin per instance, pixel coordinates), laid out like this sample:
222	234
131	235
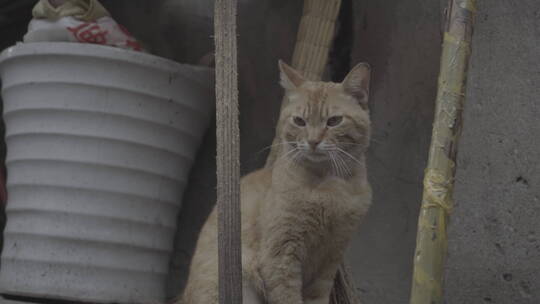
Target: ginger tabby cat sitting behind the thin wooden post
300	211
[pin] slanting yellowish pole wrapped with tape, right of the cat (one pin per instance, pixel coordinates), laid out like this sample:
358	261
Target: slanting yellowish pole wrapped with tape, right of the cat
431	242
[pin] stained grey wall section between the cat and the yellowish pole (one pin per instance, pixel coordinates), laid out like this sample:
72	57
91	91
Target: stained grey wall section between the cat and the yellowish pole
401	40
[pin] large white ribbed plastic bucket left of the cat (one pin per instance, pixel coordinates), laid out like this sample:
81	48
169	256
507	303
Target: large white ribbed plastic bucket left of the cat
100	143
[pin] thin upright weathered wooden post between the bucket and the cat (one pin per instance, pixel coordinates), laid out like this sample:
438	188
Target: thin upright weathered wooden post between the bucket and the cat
228	154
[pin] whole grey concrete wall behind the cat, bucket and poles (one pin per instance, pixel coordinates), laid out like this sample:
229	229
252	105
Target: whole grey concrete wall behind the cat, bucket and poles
494	247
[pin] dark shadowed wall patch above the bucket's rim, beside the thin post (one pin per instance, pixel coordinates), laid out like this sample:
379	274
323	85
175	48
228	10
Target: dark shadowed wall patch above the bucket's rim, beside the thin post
178	30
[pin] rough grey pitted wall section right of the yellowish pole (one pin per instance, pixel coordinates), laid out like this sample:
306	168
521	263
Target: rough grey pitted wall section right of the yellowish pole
494	253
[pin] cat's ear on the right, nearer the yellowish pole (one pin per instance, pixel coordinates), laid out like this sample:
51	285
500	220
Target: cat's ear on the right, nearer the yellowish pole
356	83
